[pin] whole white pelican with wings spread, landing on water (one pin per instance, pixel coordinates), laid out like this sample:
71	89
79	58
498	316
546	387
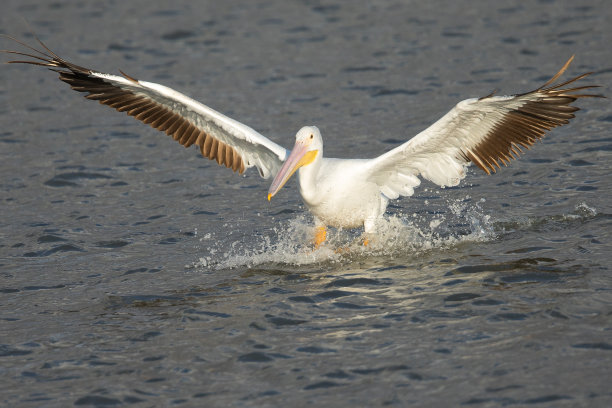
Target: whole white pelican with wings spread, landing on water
344	193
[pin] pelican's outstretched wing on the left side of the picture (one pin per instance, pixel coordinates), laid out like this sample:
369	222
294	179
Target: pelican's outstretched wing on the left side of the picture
219	137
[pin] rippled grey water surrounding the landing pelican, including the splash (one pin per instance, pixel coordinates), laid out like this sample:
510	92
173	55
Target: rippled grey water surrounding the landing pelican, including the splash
134	272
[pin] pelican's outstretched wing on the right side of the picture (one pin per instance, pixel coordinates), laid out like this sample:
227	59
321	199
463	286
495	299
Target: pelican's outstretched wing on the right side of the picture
484	131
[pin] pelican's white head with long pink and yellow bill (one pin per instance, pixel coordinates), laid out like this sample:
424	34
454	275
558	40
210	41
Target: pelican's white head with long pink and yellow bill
308	144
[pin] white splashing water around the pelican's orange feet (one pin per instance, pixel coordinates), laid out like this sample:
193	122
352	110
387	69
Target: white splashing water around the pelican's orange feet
397	235
